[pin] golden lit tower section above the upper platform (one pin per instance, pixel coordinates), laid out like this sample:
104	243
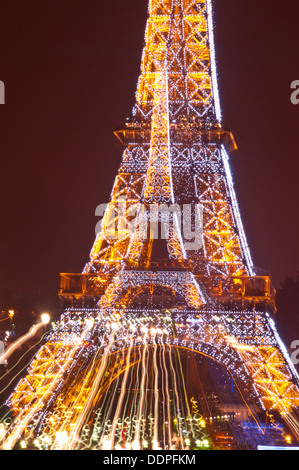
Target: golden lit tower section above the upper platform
179	41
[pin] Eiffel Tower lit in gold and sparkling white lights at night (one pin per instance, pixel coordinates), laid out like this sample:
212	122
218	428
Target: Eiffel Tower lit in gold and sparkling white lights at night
170	292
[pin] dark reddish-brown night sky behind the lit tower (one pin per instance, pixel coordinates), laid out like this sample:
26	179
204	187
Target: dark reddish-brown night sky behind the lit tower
70	69
